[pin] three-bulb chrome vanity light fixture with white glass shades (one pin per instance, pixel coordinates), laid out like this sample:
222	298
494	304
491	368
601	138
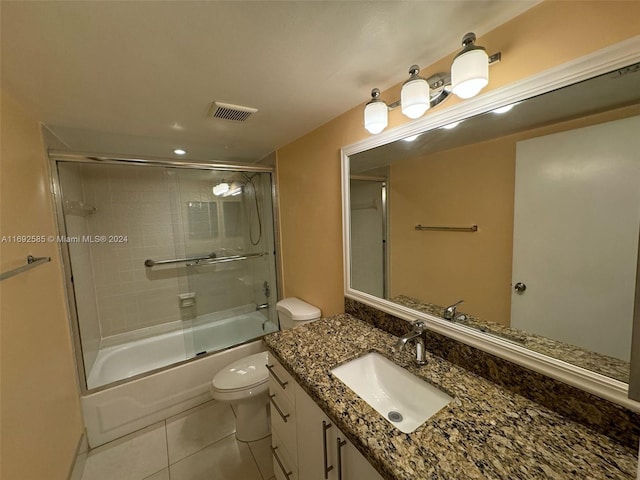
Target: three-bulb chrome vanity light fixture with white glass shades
469	75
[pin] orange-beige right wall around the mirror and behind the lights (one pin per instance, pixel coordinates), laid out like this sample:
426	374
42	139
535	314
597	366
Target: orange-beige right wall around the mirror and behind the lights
548	35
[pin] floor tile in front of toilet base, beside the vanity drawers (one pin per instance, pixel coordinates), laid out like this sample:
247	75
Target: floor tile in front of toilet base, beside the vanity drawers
227	459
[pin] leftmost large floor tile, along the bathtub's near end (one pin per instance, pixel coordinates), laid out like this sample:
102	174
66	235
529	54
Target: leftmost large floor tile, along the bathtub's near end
132	457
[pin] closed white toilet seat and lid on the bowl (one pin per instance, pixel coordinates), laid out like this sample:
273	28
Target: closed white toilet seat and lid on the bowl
245	377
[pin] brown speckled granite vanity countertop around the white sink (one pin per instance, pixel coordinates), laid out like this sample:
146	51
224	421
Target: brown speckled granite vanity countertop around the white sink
486	432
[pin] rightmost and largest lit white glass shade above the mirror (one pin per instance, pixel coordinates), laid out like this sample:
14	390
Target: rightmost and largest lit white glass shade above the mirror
470	73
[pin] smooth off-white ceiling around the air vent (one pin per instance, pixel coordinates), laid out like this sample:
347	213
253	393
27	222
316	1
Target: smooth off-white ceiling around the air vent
138	77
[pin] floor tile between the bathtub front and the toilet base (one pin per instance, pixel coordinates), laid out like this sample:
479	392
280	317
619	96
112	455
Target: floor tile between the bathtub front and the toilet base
198	428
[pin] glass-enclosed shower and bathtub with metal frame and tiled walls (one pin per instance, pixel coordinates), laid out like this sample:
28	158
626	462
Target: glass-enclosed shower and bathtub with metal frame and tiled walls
165	261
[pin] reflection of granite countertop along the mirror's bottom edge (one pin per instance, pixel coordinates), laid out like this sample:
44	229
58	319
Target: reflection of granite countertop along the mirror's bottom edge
581	357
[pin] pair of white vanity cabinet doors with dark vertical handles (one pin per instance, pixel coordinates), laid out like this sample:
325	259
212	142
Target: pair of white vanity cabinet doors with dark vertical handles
322	446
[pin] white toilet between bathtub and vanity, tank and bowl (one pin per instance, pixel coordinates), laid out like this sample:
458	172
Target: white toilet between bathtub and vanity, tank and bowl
245	383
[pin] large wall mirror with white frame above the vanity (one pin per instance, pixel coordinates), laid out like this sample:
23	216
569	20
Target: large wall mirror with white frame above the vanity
519	225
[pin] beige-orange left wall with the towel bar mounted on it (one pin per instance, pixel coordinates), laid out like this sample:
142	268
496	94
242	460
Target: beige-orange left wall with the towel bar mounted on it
40	410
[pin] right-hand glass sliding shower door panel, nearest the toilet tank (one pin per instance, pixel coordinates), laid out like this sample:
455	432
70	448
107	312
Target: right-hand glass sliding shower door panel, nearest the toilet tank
230	290
